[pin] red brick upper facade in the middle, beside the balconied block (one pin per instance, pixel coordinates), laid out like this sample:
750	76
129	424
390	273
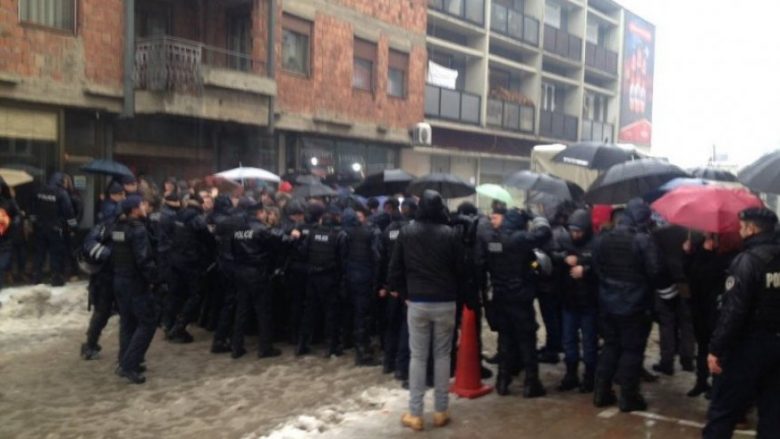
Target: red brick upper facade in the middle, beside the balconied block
328	89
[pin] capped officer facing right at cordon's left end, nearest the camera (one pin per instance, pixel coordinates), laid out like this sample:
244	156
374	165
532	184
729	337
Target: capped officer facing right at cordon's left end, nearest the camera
135	271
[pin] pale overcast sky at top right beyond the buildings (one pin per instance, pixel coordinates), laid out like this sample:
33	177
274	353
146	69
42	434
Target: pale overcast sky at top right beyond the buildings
717	77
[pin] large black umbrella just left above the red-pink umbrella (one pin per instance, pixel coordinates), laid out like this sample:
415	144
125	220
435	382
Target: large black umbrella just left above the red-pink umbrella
631	179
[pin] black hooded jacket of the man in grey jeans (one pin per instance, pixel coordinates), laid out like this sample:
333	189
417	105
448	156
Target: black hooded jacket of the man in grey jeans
427	262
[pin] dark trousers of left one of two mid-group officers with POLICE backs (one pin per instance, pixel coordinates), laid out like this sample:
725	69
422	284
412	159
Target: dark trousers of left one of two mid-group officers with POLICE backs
253	294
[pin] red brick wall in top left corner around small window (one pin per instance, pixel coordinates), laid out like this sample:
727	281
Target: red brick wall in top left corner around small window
39	53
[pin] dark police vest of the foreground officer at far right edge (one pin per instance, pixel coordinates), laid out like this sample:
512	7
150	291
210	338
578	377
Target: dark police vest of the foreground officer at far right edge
766	314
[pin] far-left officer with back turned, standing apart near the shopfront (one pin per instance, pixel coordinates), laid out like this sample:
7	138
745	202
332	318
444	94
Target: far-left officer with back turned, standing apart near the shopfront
54	219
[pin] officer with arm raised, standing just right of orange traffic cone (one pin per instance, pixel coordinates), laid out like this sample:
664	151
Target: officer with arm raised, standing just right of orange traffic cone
506	256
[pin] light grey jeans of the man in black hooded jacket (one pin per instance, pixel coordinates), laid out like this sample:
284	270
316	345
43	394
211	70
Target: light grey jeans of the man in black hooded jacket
430	323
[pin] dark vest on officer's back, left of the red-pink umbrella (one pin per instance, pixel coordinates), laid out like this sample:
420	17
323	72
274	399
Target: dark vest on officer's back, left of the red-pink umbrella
619	260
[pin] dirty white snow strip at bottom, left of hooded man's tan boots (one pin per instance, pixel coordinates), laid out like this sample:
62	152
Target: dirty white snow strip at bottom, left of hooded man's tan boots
326	418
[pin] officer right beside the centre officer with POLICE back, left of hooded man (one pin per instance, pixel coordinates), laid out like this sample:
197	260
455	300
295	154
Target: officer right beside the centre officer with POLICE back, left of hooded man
362	278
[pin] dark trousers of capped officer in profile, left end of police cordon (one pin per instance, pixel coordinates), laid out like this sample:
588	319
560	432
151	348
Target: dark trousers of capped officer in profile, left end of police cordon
137	320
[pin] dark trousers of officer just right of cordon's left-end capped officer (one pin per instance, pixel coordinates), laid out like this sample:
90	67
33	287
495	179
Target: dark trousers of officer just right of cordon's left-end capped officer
184	298
